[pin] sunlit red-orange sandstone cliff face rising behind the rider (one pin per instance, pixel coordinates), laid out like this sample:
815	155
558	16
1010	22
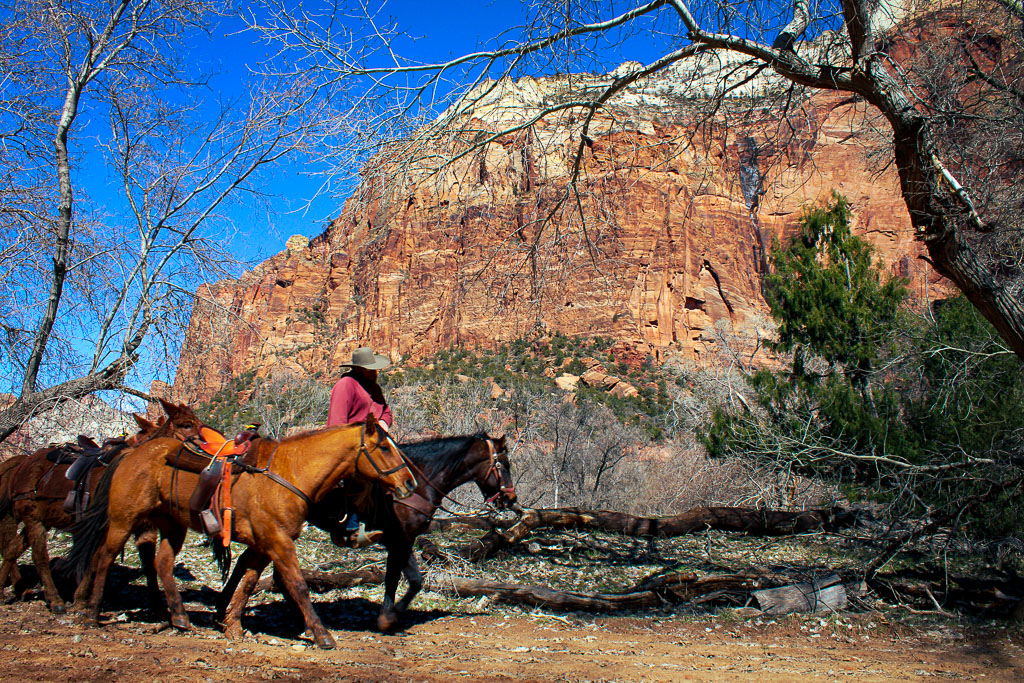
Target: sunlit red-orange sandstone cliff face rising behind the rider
666	240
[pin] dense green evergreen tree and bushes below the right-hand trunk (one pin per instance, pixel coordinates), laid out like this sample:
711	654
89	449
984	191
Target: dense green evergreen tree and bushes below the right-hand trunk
920	411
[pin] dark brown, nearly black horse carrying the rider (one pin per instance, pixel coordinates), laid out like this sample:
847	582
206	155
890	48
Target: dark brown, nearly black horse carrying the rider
441	466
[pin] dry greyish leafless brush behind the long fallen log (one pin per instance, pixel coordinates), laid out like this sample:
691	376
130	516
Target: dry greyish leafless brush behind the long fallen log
569	453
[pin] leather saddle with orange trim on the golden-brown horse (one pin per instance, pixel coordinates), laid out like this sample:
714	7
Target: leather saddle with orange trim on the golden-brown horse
216	459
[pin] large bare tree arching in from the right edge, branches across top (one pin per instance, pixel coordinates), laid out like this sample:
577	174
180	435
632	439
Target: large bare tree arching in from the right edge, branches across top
950	92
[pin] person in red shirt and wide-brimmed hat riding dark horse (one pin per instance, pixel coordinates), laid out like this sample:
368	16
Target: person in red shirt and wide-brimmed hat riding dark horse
354	398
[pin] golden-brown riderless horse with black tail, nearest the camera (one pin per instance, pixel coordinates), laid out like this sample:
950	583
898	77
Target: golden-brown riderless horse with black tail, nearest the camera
271	502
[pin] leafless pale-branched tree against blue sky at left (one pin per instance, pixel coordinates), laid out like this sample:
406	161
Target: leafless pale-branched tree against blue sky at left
94	291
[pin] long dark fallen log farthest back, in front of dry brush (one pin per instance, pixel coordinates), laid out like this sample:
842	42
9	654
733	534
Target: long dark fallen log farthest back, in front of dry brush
748	521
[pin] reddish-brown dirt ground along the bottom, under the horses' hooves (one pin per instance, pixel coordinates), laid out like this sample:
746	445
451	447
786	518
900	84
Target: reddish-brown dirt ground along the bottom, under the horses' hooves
531	647
